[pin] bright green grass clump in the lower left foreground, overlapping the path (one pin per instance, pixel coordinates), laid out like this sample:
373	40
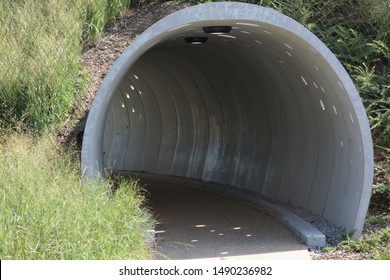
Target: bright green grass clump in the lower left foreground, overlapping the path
46	212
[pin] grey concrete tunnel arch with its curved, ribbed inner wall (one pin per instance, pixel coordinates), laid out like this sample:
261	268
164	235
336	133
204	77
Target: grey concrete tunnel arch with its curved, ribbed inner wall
264	107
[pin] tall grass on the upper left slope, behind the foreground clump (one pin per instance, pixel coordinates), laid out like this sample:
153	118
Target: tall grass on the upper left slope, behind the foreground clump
41	43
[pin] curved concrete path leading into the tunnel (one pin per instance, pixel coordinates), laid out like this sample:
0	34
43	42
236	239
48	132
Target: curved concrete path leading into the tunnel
194	224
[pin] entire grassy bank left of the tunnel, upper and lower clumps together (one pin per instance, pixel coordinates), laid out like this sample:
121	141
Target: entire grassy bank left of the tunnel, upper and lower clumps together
45	210
